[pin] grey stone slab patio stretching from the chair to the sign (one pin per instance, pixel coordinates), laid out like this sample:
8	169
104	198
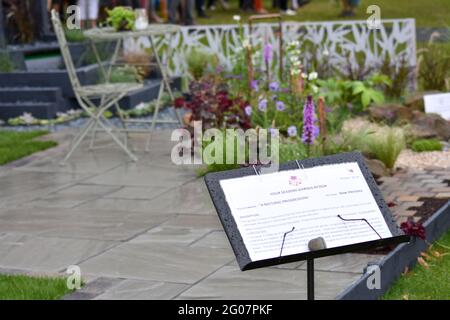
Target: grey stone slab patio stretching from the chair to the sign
145	230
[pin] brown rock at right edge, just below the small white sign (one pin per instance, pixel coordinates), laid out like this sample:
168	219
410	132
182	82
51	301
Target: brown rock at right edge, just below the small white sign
430	126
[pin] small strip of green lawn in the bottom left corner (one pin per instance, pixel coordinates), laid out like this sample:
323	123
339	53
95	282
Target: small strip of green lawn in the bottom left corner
32	288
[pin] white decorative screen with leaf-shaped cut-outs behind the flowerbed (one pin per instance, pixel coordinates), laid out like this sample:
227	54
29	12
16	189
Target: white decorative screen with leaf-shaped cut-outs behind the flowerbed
345	45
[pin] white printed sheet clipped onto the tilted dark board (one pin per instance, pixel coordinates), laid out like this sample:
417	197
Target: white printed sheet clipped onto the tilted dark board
289	208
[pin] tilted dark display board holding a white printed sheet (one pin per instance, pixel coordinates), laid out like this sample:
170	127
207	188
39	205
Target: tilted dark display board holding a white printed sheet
271	218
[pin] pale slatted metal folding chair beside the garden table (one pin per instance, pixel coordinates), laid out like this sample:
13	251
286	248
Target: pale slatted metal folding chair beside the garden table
108	95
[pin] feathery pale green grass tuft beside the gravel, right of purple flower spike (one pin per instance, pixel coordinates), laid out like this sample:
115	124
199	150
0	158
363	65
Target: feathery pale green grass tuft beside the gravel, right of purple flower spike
386	145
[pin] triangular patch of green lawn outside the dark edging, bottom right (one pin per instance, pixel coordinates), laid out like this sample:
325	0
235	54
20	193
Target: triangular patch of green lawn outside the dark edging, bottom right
426	283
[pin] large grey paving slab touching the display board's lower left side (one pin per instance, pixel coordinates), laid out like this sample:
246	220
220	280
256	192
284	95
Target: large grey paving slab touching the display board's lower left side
158	262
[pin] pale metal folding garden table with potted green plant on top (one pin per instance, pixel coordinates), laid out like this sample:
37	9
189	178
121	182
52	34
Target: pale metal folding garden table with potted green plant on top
154	30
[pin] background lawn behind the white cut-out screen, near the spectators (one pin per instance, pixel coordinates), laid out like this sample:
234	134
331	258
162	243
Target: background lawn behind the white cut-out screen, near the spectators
435	13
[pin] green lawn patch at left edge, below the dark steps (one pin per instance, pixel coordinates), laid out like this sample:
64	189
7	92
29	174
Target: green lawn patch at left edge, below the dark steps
16	145
